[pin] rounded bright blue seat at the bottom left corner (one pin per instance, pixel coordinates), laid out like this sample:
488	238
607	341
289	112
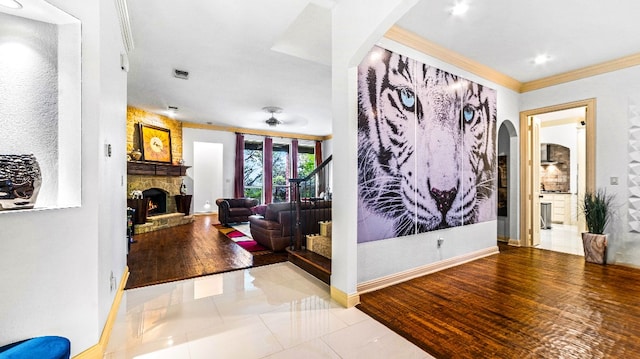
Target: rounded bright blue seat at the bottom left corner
49	347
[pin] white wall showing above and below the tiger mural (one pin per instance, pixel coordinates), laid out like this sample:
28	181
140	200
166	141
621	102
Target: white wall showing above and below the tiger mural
381	258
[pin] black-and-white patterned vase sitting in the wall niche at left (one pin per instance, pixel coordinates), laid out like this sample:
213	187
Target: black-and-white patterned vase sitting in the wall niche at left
20	181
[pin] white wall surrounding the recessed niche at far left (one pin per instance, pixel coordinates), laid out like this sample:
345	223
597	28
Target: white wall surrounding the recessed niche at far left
54	264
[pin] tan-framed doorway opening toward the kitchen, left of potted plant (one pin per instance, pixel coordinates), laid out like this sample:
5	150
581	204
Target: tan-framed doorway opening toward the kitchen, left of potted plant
549	192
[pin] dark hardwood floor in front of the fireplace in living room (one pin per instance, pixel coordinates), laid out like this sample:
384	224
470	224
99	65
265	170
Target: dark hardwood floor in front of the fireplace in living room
187	251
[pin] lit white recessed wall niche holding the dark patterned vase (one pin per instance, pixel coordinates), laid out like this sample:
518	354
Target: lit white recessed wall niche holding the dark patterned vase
40	82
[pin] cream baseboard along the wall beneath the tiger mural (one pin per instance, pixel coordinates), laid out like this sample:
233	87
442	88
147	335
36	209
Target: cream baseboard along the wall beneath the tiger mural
400	277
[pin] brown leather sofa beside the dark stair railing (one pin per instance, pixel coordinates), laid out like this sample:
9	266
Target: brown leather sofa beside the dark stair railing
275	229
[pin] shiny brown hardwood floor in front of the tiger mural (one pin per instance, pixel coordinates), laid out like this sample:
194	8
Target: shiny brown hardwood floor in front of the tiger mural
521	303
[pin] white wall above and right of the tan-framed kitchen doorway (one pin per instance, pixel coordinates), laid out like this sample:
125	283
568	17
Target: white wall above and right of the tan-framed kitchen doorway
612	92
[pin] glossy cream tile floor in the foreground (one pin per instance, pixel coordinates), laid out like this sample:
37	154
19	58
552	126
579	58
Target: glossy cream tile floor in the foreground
276	311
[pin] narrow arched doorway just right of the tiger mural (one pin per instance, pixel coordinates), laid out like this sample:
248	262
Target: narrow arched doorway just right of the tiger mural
508	155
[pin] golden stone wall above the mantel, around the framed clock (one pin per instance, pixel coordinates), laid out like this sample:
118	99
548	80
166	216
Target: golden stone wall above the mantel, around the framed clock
136	115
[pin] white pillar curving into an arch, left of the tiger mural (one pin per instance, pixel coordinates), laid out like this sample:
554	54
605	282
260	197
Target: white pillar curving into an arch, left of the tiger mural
356	26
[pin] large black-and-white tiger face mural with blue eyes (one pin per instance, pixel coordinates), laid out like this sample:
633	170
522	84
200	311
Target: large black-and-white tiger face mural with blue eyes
426	153
